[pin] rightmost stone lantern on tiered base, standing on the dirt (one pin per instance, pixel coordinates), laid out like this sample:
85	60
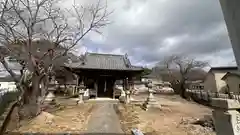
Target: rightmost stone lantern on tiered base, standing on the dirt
150	101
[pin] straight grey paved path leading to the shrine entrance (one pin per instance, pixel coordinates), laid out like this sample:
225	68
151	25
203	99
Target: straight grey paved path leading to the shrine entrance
104	120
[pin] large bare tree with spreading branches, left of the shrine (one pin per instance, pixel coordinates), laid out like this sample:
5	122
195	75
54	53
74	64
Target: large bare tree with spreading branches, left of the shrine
25	23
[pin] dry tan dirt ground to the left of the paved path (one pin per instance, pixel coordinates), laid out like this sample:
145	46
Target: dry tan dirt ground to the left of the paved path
66	117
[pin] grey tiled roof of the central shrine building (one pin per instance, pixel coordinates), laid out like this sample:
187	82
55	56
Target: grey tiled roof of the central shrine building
104	61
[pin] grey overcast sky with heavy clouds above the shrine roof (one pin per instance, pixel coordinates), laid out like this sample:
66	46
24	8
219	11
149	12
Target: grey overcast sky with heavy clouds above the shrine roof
149	30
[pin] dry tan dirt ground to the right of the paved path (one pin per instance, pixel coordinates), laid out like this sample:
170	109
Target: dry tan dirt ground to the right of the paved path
176	117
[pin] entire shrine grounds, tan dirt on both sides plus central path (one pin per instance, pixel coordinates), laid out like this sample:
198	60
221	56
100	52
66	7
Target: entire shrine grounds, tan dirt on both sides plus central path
175	117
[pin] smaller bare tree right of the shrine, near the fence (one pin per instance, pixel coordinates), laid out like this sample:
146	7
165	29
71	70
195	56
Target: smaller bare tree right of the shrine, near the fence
178	68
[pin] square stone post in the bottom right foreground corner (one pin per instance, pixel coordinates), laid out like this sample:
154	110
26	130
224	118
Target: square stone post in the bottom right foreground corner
226	116
